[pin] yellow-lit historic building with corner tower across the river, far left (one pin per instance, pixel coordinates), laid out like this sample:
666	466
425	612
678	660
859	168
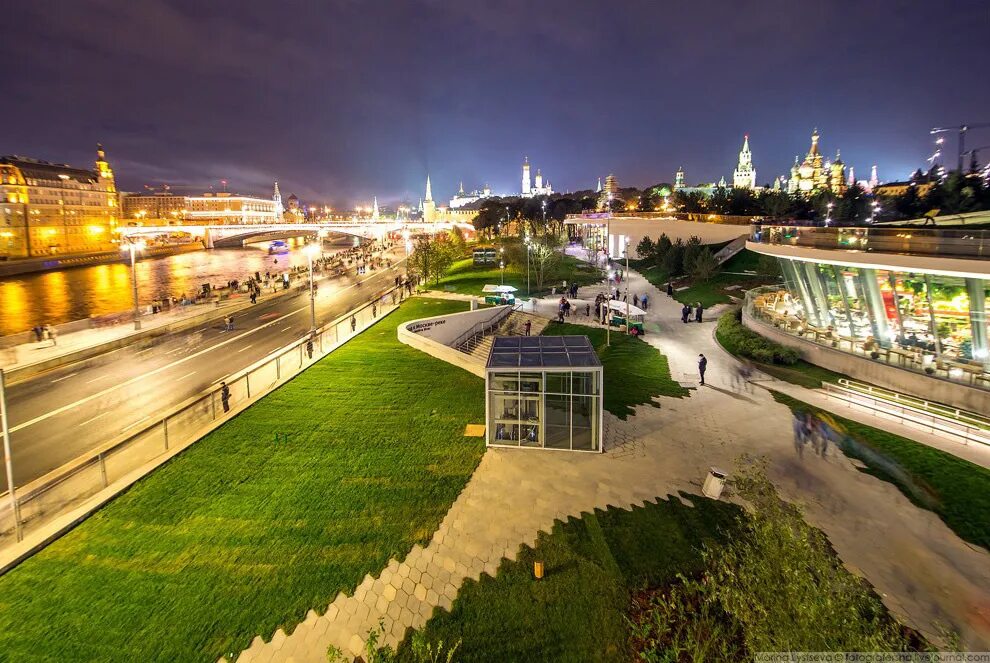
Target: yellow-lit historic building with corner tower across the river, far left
54	209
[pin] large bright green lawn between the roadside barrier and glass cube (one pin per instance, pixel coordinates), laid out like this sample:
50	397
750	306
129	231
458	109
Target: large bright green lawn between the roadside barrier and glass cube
238	536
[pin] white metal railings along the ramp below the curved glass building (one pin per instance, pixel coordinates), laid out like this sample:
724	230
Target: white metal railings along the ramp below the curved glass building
965	427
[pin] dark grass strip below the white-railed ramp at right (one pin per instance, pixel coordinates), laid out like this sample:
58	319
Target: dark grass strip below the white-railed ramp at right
956	489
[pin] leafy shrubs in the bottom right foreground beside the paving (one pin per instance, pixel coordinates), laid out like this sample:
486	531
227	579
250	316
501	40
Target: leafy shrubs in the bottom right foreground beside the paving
776	586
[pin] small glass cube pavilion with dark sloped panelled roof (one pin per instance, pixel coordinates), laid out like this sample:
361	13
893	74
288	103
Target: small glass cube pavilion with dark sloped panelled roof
544	392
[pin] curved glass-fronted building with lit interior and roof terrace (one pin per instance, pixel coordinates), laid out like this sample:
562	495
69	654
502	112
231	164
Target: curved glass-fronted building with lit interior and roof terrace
849	297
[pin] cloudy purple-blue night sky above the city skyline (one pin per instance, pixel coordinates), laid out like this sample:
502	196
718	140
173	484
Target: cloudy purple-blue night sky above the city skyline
340	100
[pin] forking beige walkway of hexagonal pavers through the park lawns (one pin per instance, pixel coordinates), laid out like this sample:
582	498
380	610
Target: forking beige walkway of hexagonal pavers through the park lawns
924	572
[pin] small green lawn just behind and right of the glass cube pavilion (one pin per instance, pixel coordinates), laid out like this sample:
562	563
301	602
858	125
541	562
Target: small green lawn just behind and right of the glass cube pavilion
635	372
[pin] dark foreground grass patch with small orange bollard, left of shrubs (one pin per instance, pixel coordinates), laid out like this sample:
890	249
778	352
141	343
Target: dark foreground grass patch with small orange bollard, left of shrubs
577	612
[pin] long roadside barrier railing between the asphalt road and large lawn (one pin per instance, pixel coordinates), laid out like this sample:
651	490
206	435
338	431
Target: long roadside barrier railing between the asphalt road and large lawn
57	492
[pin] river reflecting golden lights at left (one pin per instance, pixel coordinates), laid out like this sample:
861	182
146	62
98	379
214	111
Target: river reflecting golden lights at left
81	292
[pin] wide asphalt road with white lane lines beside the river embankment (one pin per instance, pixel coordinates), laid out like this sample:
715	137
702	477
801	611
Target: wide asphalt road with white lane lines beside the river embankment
60	415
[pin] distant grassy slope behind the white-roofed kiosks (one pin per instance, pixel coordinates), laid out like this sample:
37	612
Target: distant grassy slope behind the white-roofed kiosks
467	278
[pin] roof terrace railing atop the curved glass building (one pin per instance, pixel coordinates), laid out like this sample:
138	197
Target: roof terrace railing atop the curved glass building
905	241
